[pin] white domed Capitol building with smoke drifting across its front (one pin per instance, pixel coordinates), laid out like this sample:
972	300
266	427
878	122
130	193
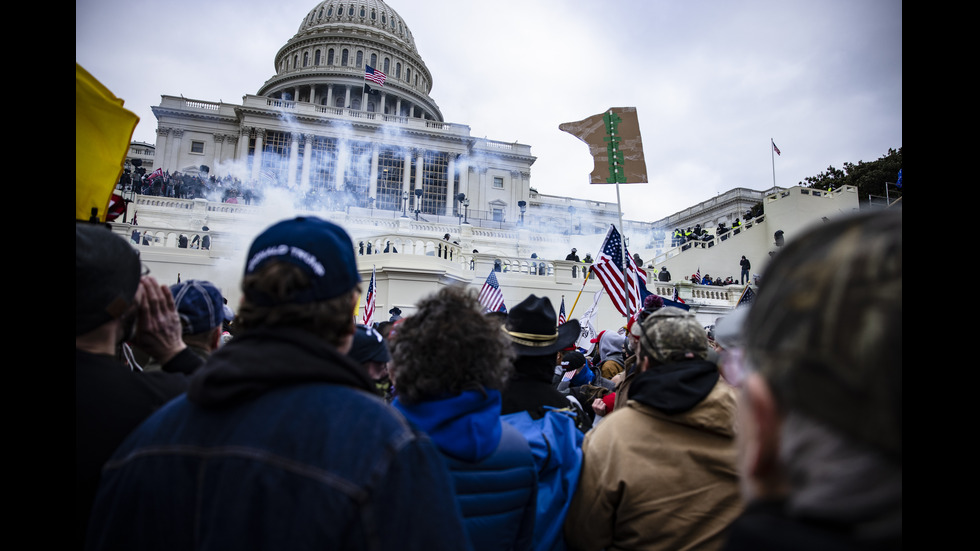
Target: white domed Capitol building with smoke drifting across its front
380	159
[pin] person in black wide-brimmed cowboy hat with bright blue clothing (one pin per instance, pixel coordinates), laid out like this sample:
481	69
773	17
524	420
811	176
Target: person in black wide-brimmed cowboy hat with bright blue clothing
550	422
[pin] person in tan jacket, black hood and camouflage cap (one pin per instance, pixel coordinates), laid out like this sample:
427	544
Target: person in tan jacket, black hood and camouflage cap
660	473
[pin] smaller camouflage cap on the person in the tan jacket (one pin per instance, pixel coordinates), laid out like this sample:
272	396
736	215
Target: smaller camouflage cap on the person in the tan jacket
672	334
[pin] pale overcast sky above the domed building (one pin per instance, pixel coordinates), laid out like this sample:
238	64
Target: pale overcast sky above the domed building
712	80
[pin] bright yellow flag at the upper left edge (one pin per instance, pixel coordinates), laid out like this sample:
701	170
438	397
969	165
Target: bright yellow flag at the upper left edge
103	129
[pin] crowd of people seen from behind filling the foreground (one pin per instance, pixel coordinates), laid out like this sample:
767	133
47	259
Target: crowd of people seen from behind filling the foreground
287	425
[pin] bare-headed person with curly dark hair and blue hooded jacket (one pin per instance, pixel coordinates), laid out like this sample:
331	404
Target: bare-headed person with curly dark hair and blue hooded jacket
450	362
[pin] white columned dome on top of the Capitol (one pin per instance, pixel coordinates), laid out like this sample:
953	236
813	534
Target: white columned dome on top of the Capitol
325	62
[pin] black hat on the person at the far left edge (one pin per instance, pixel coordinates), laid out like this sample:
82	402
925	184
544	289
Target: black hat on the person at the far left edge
107	274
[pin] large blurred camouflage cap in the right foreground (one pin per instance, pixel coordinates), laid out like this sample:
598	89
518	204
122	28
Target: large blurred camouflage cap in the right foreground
826	327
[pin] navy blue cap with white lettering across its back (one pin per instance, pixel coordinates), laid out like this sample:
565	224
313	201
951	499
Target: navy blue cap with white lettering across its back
320	248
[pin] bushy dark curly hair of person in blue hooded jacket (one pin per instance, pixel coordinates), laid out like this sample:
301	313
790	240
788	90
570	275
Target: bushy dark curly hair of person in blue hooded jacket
448	346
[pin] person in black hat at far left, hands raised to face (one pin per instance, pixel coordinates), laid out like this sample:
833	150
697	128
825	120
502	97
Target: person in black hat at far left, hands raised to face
113	305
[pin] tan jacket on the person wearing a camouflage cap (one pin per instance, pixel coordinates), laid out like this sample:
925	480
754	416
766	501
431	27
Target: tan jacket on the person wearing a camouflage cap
656	481
